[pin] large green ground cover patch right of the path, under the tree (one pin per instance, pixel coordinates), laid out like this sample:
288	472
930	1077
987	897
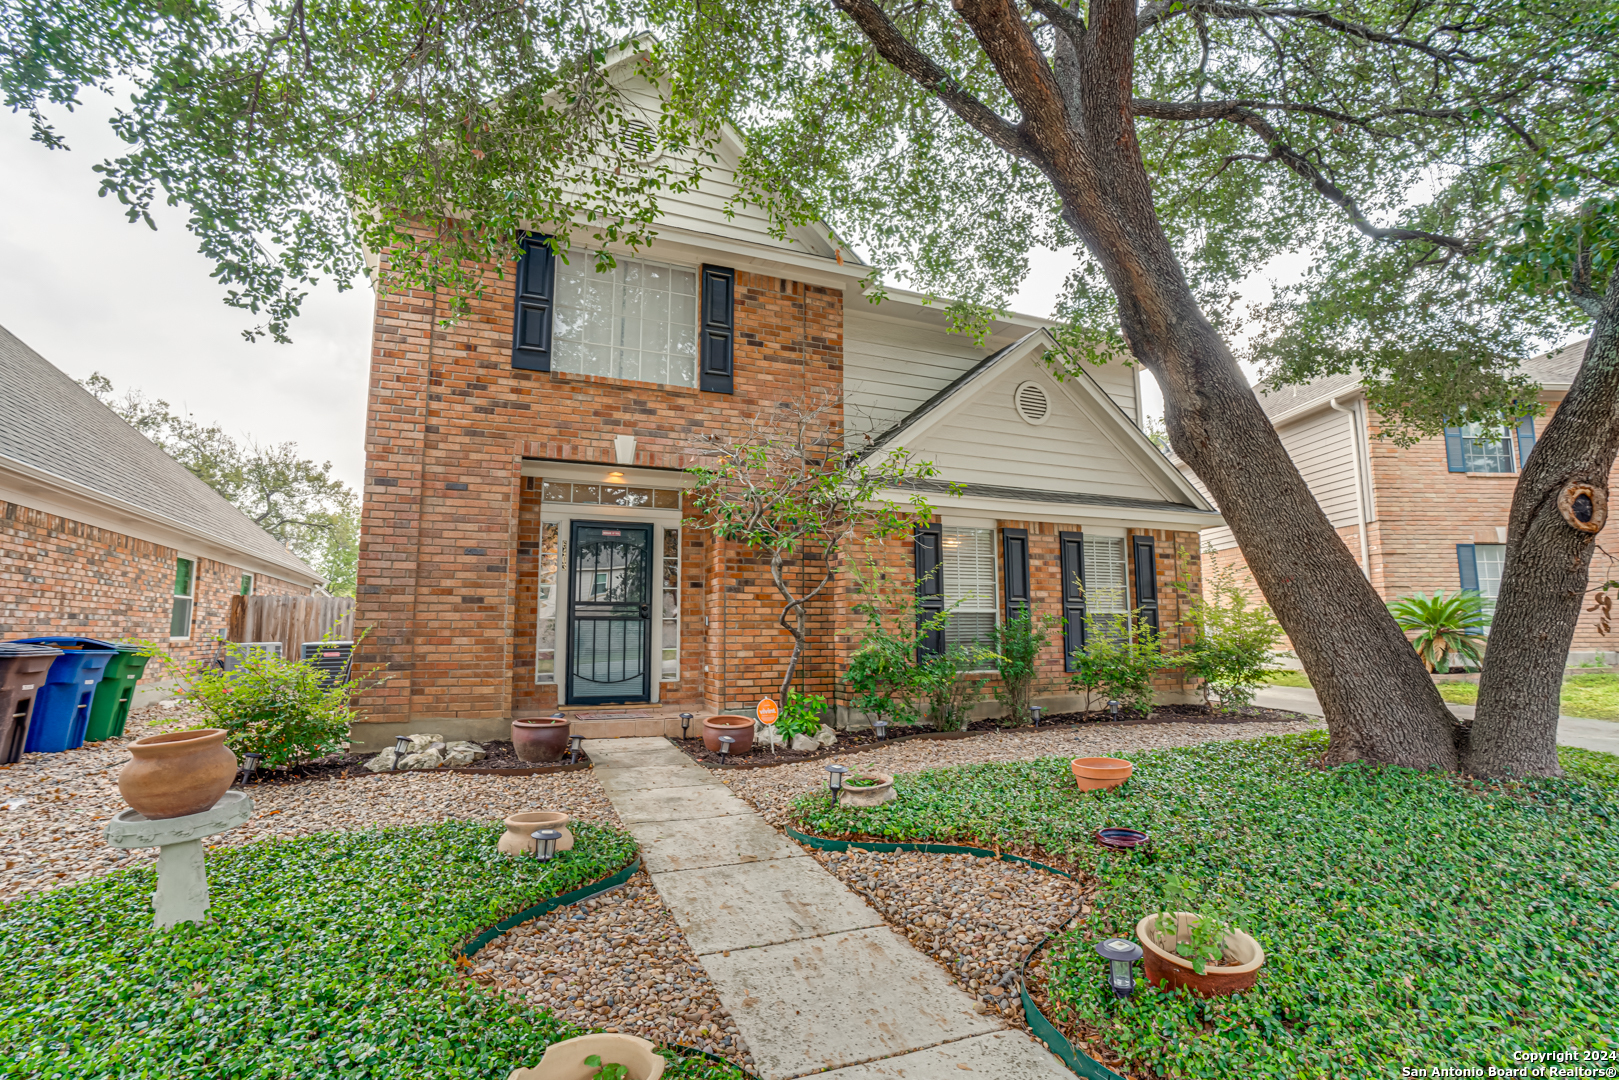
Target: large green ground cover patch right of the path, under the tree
1408	917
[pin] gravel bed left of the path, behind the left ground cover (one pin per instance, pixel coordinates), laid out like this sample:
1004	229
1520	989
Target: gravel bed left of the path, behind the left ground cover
54	809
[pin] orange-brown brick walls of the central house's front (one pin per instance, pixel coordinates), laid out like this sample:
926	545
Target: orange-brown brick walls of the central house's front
451	542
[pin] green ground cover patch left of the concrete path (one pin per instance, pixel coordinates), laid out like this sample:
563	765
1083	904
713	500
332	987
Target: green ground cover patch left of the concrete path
329	956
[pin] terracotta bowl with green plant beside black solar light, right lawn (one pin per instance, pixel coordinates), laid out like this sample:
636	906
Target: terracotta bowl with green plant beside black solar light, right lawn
1202	953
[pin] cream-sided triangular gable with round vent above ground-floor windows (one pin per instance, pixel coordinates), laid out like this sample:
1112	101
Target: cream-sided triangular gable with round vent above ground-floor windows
1142	477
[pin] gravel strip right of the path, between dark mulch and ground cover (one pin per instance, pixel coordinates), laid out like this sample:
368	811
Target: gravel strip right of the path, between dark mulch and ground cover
771	791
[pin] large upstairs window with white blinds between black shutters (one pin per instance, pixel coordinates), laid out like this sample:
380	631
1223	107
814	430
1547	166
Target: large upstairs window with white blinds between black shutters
637	321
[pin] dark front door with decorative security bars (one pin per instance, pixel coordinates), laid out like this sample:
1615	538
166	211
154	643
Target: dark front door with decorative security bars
610	613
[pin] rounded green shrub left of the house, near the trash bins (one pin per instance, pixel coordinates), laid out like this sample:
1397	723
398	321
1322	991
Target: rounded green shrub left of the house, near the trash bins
279	708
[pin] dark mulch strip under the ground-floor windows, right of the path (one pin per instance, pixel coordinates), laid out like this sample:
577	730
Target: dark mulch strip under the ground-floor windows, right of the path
762	757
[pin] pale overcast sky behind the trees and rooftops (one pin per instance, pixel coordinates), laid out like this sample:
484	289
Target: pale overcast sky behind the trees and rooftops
91	292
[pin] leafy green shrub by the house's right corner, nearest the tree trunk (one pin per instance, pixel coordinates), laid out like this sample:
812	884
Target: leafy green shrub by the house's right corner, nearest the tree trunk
1236	644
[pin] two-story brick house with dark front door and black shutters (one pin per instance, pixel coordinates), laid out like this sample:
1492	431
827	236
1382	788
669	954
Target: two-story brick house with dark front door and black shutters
525	537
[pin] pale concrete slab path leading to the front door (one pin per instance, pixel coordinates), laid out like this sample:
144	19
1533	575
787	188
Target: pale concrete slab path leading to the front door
810	974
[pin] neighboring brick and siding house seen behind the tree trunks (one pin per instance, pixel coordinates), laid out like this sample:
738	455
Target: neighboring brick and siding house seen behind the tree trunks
1387	501
